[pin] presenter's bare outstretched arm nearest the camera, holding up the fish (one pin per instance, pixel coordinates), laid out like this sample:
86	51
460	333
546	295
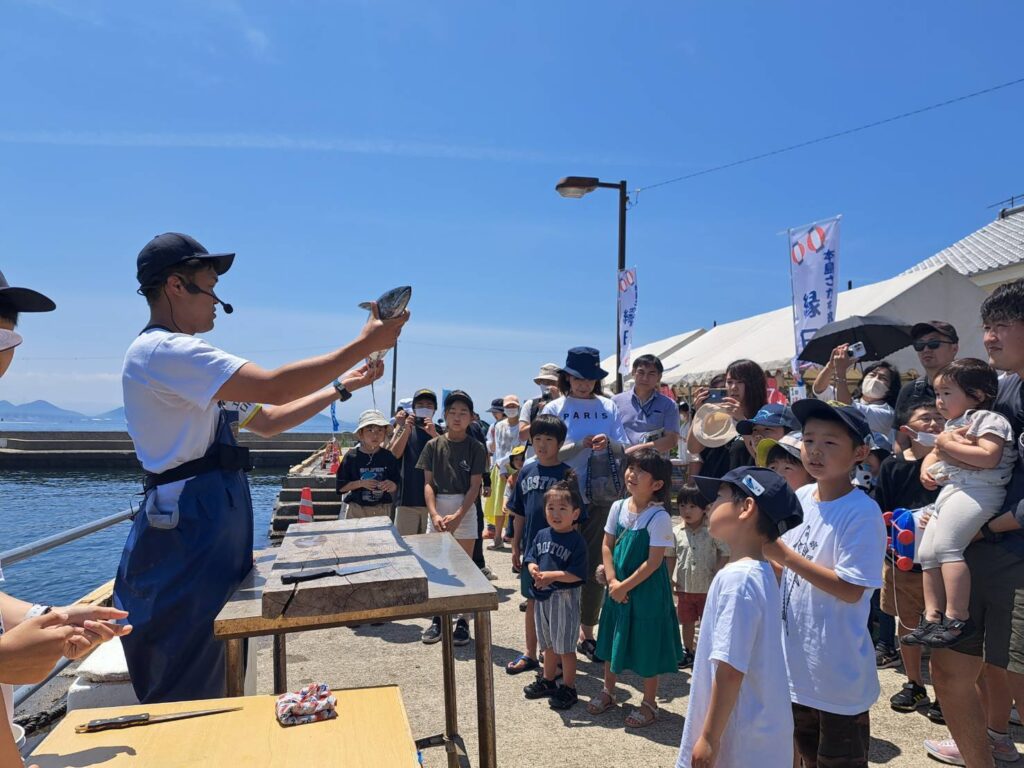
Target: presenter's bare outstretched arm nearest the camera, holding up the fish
294	380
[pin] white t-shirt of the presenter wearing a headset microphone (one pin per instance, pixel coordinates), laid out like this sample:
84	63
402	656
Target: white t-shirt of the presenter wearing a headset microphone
170	381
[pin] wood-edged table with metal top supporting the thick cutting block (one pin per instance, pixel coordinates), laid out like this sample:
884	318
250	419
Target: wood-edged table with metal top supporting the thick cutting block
455	586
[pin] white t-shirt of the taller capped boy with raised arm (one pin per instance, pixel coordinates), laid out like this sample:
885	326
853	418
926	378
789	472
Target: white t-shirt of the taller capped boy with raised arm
829	652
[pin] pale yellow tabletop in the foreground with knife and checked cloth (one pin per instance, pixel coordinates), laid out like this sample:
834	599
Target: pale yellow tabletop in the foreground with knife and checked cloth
371	731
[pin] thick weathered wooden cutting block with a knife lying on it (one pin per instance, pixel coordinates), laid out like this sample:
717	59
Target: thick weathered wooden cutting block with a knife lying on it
313	546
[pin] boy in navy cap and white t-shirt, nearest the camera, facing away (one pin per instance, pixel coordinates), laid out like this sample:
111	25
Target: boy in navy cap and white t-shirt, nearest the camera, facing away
740	657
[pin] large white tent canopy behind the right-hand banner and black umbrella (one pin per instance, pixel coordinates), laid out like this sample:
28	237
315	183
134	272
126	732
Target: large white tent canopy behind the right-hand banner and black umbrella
940	293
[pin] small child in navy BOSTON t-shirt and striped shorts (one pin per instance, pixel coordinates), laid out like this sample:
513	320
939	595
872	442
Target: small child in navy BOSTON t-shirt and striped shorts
558	563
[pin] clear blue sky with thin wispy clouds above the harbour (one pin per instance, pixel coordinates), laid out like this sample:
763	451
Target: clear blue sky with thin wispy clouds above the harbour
344	148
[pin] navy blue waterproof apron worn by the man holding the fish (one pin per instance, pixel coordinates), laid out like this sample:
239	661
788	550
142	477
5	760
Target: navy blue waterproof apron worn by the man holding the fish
177	574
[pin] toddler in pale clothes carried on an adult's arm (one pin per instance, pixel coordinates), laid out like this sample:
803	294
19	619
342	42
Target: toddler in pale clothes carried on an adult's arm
982	444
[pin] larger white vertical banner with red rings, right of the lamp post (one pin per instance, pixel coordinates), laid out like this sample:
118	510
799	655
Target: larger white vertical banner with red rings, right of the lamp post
815	273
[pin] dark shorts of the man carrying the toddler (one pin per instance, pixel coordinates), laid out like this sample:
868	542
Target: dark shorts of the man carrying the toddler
997	607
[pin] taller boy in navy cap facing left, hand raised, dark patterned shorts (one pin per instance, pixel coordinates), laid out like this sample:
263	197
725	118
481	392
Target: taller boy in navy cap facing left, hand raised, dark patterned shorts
831	564
